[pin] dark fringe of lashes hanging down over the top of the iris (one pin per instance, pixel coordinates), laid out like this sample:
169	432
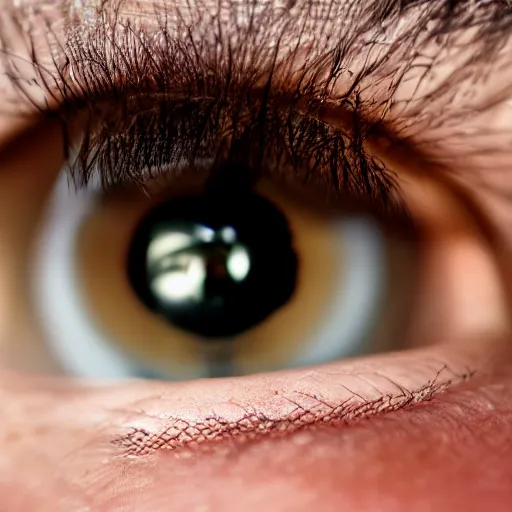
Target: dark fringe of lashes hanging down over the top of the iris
172	134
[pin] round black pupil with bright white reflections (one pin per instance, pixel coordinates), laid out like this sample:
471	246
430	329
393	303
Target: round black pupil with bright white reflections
214	265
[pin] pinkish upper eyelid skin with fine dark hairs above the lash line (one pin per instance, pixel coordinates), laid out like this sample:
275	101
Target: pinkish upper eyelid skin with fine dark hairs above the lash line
349	55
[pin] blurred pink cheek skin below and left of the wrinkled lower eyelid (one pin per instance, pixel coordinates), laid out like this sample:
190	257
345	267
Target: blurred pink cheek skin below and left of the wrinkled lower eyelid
452	454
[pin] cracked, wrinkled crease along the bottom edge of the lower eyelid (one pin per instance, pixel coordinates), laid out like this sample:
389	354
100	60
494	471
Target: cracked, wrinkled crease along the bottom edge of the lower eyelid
307	411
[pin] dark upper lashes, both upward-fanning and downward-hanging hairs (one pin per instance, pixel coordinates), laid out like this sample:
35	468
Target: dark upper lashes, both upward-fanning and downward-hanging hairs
171	110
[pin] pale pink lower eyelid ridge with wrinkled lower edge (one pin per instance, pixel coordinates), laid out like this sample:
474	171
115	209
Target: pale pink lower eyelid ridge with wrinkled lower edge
178	416
